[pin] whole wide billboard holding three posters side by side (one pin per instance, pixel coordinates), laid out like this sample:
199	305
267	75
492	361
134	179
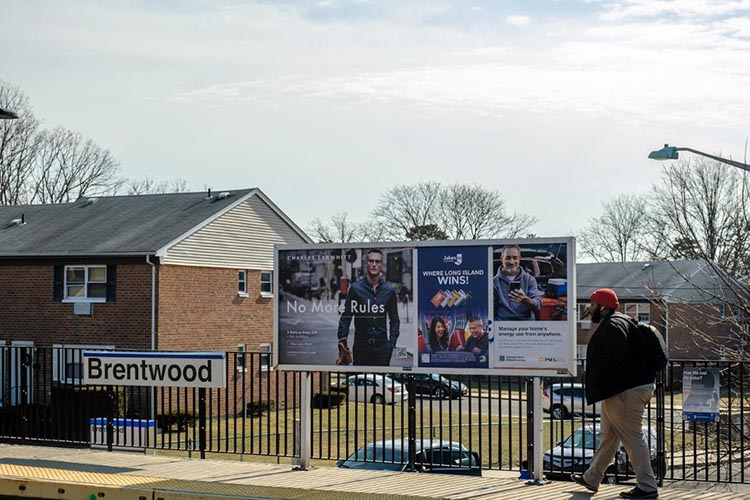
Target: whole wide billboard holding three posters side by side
483	306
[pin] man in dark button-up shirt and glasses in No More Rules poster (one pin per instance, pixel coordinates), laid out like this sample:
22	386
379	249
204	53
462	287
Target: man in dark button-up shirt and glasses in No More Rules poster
373	304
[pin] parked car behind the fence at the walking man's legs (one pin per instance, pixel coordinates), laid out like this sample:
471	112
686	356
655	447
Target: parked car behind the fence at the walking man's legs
574	453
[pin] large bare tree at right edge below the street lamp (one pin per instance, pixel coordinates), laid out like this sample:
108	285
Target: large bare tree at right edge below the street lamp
701	209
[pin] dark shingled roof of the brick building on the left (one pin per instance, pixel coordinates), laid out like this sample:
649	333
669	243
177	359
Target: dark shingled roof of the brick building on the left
110	225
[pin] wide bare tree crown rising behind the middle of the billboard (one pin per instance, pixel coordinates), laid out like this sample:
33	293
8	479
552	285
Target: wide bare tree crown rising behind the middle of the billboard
459	211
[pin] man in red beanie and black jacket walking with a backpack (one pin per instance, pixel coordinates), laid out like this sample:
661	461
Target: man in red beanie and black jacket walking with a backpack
618	379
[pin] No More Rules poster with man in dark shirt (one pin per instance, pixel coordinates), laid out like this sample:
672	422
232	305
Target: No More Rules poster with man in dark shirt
346	306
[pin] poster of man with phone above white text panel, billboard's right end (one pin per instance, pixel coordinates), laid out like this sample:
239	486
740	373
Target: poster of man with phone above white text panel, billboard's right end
530	309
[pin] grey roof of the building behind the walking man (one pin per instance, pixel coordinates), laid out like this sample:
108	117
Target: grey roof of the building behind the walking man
676	281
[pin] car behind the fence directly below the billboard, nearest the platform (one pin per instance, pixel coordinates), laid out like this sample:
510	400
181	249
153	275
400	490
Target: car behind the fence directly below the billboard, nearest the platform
431	455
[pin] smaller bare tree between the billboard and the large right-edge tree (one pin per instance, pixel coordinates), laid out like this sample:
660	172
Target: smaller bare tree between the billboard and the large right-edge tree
620	233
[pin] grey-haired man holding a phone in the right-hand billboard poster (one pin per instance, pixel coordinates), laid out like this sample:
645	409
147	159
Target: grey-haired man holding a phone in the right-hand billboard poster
516	294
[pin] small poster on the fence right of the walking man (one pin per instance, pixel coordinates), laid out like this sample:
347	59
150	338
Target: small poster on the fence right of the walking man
700	391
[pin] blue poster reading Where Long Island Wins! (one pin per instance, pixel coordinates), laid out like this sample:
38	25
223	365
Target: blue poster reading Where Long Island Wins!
453	307
